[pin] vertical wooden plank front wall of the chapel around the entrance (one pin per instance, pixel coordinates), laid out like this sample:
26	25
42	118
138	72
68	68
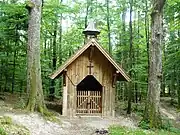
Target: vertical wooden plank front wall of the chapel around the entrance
103	72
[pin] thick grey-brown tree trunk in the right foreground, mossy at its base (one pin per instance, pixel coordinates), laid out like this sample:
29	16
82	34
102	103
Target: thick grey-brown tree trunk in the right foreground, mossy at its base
152	114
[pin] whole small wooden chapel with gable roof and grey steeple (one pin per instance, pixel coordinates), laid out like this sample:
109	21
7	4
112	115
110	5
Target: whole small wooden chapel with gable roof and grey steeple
89	79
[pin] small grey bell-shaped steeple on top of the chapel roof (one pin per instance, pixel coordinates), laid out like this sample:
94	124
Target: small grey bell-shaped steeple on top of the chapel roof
91	31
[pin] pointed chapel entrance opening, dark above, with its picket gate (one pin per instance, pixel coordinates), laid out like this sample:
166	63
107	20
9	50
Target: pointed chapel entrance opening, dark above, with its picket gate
89	96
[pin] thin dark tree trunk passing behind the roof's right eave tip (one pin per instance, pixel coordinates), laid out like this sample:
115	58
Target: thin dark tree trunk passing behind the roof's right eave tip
130	60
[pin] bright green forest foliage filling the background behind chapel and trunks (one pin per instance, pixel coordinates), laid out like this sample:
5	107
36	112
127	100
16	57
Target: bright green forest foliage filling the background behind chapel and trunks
70	18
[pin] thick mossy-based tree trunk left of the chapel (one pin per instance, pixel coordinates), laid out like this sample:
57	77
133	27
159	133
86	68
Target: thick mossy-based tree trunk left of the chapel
34	82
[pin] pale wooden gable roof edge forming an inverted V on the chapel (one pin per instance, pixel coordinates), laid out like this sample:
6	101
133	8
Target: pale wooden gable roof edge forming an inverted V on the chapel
92	42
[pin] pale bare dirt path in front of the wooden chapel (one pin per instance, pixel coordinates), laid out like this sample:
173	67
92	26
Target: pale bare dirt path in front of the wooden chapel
74	126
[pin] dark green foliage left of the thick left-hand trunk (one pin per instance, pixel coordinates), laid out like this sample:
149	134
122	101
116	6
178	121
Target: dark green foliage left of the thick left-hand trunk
13	27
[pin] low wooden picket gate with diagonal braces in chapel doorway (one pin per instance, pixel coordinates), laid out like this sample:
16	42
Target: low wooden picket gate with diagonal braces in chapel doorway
89	102
